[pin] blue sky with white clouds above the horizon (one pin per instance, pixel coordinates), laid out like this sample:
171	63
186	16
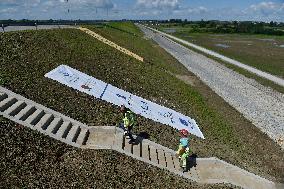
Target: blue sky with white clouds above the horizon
255	10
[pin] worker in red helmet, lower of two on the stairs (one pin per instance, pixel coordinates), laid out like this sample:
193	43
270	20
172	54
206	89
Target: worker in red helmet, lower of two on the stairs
183	151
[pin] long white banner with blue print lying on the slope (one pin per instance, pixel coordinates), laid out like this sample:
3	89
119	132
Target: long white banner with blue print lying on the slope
99	89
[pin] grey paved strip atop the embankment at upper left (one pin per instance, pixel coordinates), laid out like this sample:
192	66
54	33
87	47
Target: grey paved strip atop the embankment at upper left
39	27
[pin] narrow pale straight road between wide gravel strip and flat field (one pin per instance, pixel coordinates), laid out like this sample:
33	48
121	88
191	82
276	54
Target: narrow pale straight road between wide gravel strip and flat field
265	75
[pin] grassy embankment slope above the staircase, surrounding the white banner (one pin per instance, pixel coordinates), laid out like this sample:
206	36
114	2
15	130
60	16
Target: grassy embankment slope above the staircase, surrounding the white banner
27	56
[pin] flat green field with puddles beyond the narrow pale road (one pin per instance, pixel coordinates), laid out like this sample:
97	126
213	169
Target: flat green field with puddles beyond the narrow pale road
264	52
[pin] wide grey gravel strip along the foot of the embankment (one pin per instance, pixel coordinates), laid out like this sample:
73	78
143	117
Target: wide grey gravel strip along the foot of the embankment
261	105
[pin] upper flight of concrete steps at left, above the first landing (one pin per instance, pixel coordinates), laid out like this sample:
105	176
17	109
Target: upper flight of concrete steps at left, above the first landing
42	119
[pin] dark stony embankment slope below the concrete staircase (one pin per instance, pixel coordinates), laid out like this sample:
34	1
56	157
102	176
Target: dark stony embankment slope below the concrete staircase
31	160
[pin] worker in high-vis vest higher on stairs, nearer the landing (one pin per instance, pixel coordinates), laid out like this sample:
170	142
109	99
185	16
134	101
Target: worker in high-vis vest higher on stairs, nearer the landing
129	121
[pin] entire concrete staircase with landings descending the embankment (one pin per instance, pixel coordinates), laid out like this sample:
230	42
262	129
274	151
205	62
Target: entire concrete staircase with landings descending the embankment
72	132
